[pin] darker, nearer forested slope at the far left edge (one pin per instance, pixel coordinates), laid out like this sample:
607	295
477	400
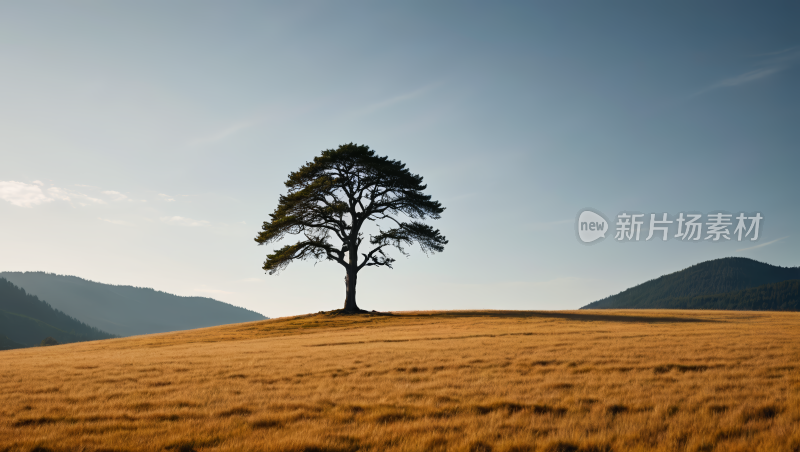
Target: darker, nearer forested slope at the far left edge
25	320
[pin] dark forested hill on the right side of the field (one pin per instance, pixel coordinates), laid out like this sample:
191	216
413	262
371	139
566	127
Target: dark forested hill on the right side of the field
728	283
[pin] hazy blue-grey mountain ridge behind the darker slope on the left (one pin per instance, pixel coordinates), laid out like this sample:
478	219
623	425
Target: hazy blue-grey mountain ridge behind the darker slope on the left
126	310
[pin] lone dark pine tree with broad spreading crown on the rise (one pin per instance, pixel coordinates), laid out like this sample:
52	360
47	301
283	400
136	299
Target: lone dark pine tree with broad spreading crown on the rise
334	196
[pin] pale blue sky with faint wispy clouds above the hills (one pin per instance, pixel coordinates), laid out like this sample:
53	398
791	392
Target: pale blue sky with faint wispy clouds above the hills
144	143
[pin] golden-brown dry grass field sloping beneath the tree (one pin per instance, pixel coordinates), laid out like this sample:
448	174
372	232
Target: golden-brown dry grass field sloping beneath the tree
462	381
